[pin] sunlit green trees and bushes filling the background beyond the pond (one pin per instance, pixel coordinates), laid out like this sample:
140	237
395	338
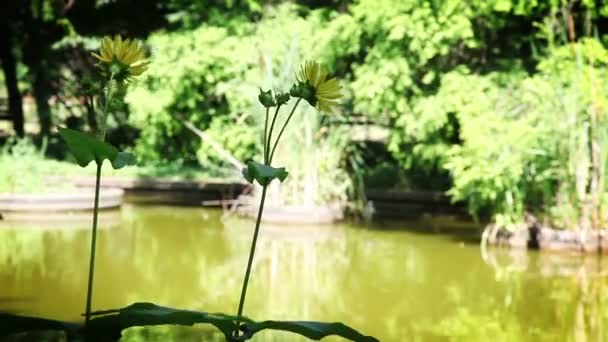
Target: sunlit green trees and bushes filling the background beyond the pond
501	103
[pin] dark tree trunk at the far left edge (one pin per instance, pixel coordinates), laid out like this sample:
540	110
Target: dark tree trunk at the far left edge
9	67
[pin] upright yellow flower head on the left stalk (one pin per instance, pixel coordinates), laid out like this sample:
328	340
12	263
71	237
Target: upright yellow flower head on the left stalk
122	58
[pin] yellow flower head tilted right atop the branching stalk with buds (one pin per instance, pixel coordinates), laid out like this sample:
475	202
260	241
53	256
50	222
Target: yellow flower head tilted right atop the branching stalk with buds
324	93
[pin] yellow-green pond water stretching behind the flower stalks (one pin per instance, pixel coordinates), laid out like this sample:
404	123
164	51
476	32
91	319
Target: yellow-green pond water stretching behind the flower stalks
397	281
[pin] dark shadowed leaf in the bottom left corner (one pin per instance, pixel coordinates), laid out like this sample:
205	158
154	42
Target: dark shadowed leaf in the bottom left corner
15	324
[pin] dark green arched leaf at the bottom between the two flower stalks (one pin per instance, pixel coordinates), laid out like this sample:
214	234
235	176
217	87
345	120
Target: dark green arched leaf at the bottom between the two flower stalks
109	324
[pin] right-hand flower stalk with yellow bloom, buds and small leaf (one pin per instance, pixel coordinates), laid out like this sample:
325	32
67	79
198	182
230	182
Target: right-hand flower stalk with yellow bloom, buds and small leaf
311	85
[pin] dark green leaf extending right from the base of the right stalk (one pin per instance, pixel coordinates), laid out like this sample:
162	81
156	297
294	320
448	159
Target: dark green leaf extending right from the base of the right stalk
309	329
